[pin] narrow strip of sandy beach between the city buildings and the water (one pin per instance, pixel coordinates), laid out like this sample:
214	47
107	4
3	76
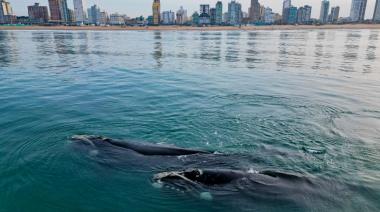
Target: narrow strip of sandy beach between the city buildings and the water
190	28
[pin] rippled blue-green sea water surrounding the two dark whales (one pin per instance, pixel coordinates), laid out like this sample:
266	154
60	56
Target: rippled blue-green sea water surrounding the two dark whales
301	102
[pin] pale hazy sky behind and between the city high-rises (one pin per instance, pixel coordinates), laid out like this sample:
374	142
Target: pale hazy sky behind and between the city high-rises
143	7
